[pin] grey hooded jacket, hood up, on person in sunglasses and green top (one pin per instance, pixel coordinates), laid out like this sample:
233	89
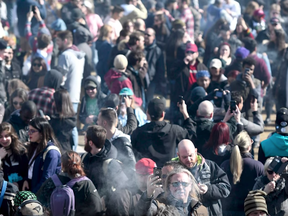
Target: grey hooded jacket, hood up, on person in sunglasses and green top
100	99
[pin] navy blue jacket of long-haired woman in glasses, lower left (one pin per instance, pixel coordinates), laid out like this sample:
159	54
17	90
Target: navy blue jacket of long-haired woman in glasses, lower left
43	170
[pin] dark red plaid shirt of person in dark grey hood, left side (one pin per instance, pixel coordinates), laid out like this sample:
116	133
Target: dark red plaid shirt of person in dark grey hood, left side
44	99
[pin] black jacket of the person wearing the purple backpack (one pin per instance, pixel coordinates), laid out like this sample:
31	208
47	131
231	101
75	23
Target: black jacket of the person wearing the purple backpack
87	199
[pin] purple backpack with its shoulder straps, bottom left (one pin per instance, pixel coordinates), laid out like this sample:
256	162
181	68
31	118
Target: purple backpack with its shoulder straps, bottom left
62	200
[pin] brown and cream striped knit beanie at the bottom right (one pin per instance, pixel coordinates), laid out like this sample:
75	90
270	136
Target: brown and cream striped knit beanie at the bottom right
255	201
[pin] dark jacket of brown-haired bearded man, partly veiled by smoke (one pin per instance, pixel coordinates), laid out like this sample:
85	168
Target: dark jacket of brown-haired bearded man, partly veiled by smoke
93	167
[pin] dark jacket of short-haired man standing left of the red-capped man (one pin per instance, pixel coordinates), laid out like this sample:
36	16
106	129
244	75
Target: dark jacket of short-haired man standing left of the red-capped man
156	65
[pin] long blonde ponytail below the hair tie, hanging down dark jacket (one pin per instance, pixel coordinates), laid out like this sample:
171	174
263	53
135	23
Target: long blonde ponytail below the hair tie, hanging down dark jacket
236	164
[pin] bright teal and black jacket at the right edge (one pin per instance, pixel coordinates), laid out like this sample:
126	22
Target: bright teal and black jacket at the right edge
275	145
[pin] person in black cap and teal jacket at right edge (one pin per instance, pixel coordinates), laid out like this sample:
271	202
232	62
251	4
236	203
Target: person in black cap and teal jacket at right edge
277	143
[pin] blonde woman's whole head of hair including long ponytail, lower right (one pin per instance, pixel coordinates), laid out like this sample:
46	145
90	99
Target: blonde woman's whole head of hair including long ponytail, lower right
242	142
